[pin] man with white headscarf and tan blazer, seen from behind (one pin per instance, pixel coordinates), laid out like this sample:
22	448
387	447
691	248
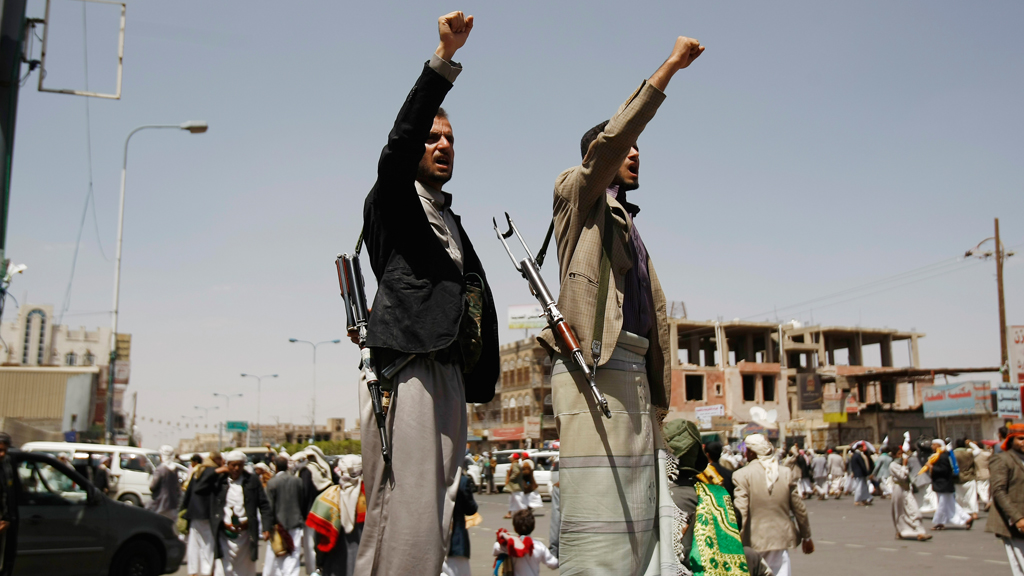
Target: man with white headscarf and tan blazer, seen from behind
766	498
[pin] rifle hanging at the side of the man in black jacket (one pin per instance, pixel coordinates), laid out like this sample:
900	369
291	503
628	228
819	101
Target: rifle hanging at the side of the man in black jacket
357	314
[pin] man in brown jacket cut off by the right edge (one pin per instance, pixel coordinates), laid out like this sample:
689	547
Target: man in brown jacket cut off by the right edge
1007	488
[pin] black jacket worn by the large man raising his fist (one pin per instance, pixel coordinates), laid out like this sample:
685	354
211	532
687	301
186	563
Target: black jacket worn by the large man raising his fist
421	294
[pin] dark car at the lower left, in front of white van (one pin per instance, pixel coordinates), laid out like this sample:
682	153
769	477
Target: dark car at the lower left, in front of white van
70	527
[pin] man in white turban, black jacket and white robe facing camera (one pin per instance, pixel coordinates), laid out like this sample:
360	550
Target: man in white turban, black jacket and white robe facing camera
239	497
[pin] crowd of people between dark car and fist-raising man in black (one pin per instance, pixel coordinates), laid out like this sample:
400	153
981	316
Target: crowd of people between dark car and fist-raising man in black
300	506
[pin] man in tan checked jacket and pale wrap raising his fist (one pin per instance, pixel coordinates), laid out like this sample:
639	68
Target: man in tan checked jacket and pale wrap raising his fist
610	469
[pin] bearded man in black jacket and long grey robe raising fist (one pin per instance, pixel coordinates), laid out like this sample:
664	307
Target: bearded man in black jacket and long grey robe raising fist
426	271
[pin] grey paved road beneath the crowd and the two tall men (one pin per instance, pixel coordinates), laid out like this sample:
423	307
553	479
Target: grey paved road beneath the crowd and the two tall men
850	541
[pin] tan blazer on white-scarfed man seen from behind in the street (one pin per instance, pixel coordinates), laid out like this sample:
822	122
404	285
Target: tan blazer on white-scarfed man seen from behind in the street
767	525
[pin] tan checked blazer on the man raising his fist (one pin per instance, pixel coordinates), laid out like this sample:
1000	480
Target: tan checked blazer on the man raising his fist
580	203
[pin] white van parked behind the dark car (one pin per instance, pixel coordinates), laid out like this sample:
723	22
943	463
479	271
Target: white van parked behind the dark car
132	469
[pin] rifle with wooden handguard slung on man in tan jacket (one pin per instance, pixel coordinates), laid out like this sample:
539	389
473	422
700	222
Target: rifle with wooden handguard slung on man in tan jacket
532	272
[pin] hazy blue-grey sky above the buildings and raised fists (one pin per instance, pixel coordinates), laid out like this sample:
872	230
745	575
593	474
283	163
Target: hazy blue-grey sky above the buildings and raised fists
814	149
